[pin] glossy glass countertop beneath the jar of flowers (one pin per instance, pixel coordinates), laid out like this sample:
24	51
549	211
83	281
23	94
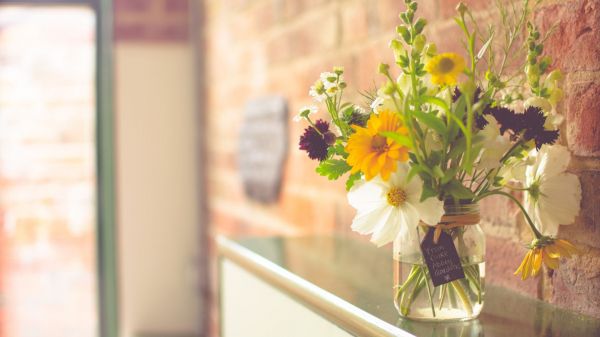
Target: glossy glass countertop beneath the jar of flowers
360	274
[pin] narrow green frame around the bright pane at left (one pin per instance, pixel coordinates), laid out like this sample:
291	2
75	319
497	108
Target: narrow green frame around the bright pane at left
106	244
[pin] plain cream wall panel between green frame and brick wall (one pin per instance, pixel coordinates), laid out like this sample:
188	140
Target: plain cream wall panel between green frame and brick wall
157	177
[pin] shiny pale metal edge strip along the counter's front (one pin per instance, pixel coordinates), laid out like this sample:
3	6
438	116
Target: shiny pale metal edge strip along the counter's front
350	318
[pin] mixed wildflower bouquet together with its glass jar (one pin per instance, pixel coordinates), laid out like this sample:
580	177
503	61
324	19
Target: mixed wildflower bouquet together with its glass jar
443	132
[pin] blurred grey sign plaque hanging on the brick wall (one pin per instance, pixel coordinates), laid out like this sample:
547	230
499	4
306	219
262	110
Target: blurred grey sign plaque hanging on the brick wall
263	147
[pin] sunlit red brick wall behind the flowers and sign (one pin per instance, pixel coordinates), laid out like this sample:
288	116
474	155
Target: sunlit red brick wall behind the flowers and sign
262	47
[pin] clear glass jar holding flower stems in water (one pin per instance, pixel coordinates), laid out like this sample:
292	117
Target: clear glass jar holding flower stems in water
415	296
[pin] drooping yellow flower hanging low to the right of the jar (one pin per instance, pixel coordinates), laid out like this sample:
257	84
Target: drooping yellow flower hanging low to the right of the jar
548	251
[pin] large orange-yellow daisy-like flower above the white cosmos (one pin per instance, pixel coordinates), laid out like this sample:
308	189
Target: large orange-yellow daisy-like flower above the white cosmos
372	153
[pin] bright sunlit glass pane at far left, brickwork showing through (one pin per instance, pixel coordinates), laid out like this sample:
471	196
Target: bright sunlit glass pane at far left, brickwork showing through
47	175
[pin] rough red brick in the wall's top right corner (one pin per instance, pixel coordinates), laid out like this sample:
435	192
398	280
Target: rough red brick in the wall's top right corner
575	43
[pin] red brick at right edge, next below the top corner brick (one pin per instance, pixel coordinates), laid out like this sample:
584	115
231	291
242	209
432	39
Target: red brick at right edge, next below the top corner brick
583	118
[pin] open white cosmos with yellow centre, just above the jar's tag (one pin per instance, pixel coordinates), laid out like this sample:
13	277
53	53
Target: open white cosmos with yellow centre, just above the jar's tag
388	209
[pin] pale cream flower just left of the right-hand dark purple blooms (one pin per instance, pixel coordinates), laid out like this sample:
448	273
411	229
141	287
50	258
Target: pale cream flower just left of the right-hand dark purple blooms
494	145
